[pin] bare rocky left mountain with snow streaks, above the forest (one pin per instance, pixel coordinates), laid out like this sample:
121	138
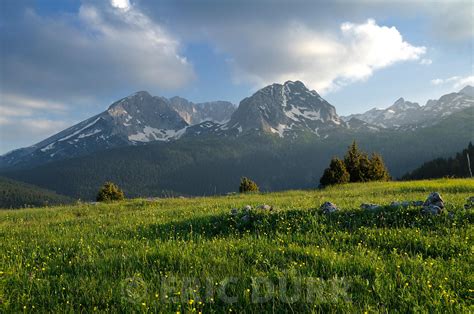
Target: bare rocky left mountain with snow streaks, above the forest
133	120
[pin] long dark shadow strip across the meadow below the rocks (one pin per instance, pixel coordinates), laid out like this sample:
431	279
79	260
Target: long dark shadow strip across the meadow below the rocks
261	223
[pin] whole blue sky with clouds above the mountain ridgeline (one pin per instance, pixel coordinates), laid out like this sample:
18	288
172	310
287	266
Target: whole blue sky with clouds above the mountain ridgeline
63	61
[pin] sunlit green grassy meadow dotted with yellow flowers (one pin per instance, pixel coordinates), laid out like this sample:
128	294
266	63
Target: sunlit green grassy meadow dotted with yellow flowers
191	255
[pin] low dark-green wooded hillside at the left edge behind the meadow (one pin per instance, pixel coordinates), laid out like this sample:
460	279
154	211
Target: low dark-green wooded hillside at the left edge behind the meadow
14	194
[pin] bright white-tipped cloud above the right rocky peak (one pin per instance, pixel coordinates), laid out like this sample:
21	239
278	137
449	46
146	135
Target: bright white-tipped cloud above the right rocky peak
323	61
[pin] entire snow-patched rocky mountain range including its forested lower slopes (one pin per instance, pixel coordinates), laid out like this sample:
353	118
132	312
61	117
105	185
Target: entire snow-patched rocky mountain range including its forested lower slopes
283	135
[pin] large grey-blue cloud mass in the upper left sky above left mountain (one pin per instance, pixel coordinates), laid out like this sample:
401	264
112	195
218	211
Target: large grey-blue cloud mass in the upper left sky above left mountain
96	51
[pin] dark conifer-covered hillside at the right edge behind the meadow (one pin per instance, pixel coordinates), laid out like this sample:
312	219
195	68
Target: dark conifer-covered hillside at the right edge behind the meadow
457	166
